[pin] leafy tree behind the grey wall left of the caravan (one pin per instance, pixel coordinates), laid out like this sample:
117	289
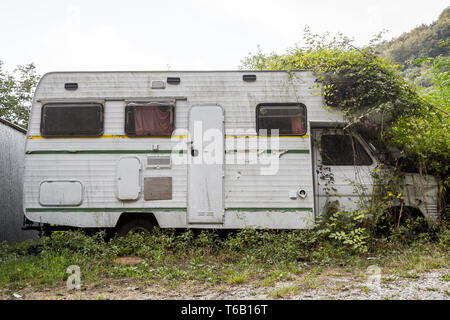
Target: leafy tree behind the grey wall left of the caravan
16	93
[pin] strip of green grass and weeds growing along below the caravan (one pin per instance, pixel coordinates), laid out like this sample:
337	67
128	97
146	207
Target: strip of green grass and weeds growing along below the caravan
171	258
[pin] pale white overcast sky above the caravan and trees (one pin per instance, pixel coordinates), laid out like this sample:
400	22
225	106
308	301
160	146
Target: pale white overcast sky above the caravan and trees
60	35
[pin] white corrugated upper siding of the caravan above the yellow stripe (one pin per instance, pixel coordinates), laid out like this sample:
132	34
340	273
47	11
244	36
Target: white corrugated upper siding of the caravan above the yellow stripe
237	97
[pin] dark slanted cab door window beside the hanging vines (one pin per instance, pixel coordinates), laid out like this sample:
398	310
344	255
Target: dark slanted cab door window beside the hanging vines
343	150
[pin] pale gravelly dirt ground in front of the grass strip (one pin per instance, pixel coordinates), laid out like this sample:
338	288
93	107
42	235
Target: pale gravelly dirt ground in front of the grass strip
431	285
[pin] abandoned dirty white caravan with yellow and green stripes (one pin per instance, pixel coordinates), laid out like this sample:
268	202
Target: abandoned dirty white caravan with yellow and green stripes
218	149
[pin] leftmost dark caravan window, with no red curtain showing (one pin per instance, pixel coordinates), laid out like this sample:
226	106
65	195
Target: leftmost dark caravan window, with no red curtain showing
72	119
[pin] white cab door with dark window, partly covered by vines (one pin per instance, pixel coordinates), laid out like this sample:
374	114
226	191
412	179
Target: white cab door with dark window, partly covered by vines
342	168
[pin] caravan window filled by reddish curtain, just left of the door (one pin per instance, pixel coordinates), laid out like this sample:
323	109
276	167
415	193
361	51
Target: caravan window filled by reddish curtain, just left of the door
149	119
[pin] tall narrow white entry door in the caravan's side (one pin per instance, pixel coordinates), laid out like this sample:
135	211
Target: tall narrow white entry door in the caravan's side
205	166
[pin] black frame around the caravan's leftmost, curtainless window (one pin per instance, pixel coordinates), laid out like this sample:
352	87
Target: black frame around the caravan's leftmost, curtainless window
67	104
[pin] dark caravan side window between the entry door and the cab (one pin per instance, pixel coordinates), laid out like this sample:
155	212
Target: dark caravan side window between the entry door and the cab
288	118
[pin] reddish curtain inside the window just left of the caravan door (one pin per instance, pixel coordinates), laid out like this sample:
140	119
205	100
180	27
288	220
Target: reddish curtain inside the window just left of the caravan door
152	120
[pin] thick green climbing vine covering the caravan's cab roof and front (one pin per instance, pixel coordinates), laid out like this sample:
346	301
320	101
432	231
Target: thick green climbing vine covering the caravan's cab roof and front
389	109
